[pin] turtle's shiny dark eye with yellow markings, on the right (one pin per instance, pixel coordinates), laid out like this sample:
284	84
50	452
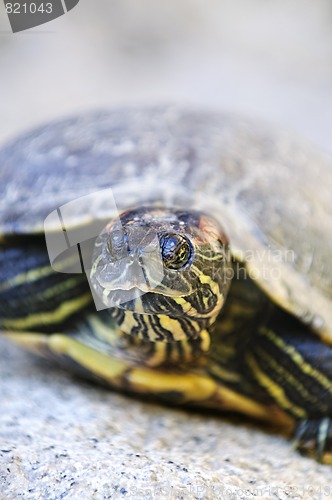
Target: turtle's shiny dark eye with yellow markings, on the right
176	250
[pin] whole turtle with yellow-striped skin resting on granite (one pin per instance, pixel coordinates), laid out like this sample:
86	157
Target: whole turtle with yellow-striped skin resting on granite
175	254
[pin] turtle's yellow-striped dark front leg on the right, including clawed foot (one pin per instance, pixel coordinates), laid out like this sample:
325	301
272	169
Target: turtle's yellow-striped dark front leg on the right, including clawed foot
294	367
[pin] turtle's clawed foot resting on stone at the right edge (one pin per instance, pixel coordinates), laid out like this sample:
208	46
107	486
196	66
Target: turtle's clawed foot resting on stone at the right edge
313	438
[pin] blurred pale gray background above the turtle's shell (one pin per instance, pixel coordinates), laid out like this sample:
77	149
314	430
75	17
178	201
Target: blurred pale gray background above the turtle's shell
267	59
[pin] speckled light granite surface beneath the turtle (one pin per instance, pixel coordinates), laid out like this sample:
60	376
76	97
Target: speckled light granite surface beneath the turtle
61	437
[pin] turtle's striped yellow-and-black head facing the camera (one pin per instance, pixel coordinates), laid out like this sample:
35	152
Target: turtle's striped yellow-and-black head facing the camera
162	272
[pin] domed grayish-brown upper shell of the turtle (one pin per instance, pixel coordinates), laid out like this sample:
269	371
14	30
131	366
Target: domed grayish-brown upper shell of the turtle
271	192
